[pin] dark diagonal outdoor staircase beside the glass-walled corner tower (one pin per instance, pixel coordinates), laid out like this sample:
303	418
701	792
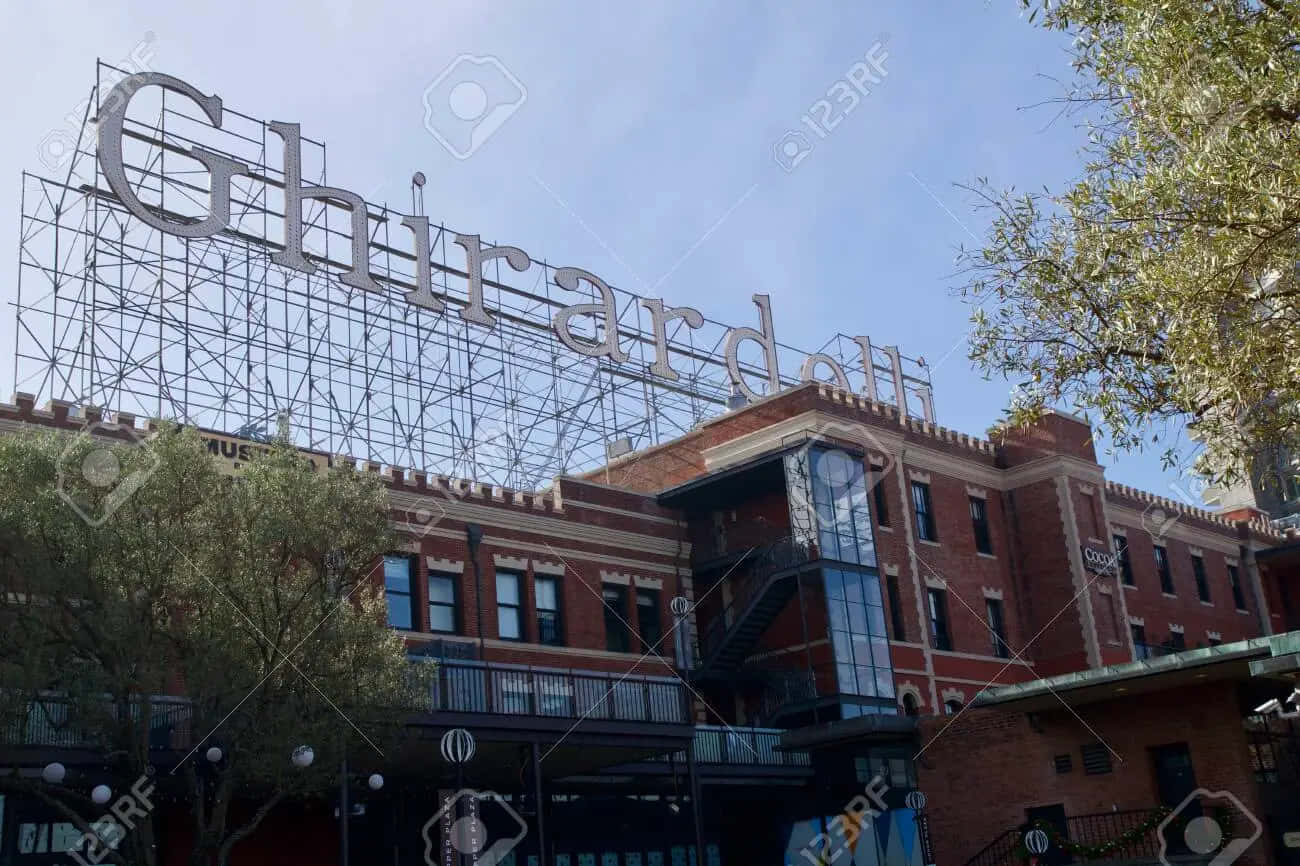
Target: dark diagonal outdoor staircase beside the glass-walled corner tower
756	603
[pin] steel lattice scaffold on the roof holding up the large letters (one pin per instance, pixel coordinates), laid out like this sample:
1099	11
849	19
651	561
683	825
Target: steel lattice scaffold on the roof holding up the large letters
112	313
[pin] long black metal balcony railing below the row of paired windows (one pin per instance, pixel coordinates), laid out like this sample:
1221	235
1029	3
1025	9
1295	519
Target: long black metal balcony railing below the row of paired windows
521	690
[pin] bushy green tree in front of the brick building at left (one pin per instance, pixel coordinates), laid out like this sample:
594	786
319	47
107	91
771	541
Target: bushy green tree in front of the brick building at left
198	612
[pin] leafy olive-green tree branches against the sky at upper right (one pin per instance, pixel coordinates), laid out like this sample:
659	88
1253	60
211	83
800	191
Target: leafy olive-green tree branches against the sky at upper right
1160	289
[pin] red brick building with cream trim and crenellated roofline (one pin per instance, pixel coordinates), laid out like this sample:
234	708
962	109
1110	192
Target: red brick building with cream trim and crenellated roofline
864	595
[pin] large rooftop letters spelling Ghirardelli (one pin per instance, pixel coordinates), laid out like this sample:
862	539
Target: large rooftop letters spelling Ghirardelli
599	337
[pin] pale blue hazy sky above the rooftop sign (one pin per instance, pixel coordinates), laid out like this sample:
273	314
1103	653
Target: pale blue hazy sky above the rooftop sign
644	150
